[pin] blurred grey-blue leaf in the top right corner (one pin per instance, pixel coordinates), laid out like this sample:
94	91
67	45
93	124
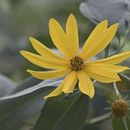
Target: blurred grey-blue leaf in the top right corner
113	10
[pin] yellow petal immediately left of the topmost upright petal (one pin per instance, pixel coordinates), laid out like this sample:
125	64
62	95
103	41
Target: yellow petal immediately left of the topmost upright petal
59	38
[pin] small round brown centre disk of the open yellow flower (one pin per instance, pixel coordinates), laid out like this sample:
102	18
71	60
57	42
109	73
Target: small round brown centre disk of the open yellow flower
76	63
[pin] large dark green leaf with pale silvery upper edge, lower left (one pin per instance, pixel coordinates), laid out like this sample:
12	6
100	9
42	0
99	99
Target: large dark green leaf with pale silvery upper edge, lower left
24	104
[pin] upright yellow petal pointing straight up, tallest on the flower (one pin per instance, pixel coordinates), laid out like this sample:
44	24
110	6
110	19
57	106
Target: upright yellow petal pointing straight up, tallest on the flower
72	35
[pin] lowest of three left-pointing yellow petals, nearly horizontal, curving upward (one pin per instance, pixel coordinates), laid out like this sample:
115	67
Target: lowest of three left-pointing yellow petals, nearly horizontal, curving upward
49	74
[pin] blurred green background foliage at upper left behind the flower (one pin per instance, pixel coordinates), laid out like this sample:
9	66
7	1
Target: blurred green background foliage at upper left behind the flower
20	19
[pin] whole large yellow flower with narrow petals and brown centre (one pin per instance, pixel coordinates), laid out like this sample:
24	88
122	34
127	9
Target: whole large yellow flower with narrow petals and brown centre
75	65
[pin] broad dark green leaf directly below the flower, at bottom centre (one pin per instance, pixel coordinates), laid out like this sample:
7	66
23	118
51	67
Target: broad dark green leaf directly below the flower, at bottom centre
64	114
